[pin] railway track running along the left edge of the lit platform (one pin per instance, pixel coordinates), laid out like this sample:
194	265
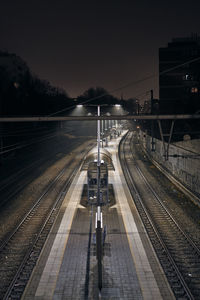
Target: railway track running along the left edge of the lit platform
20	250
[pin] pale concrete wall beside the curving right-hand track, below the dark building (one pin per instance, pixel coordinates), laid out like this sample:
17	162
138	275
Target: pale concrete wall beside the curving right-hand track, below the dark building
185	166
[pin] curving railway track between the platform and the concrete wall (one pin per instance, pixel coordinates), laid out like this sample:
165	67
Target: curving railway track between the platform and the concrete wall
177	253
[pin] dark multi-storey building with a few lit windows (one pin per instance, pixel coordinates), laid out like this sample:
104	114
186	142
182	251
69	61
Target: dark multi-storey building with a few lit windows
179	87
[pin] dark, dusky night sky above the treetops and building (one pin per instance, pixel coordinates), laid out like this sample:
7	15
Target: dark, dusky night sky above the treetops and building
81	44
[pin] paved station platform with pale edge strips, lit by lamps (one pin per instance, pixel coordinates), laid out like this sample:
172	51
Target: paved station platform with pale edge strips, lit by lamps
67	267
